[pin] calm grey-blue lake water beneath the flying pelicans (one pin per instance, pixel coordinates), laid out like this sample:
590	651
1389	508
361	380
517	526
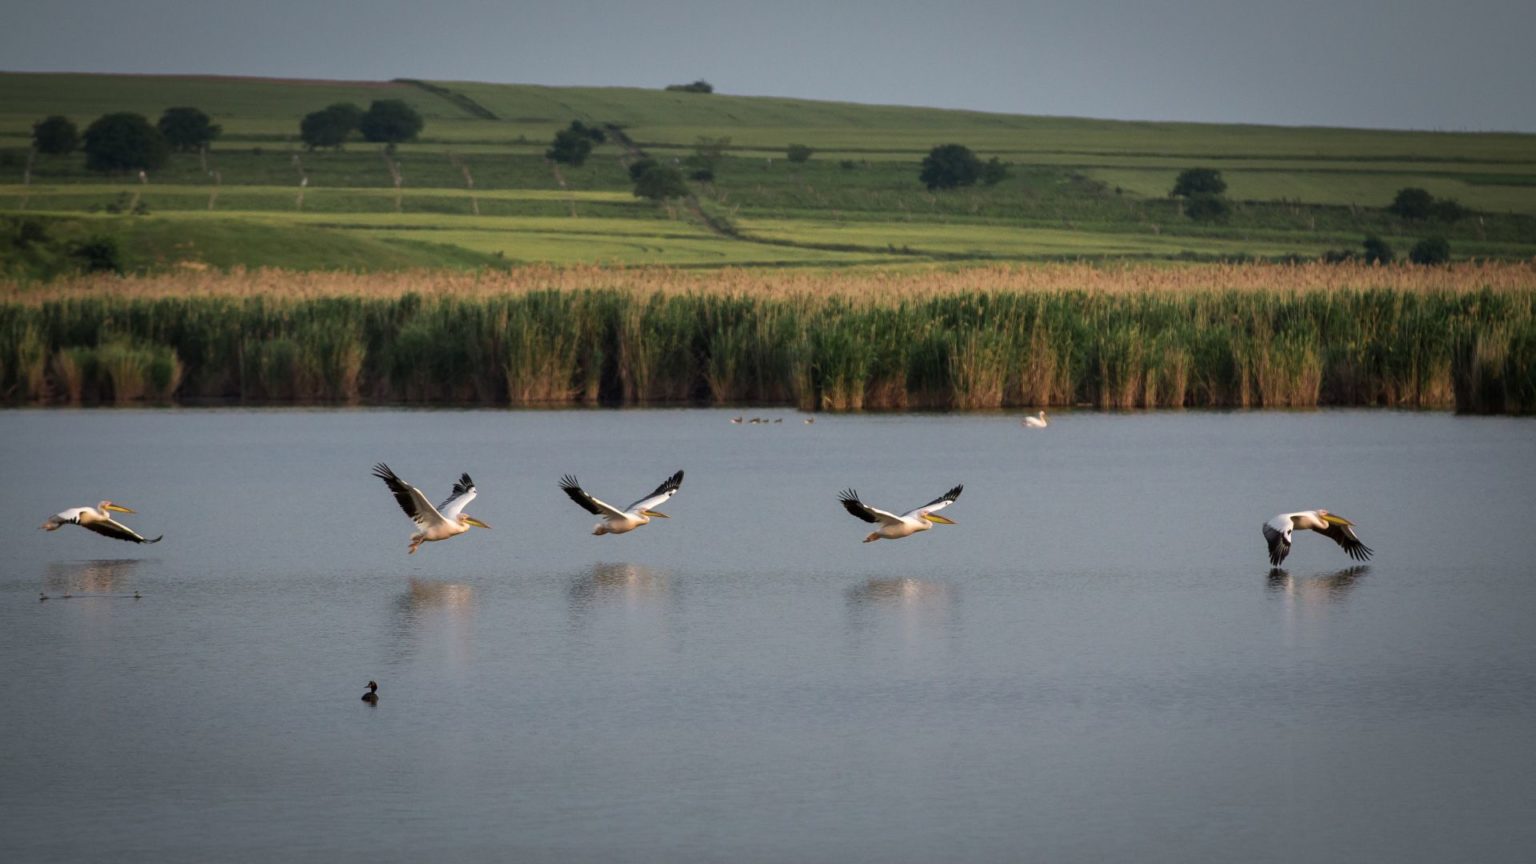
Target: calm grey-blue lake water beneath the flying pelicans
1094	665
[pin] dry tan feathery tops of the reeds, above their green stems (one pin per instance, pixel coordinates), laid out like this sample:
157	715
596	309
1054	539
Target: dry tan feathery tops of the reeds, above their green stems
873	285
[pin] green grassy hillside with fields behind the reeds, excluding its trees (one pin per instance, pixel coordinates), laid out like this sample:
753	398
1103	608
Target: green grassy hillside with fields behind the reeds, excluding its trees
1078	188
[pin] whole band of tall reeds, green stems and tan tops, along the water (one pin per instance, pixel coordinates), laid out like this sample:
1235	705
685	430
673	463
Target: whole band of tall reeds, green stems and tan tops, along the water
967	339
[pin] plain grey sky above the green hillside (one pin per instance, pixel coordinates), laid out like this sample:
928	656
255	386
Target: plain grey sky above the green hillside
1409	64
